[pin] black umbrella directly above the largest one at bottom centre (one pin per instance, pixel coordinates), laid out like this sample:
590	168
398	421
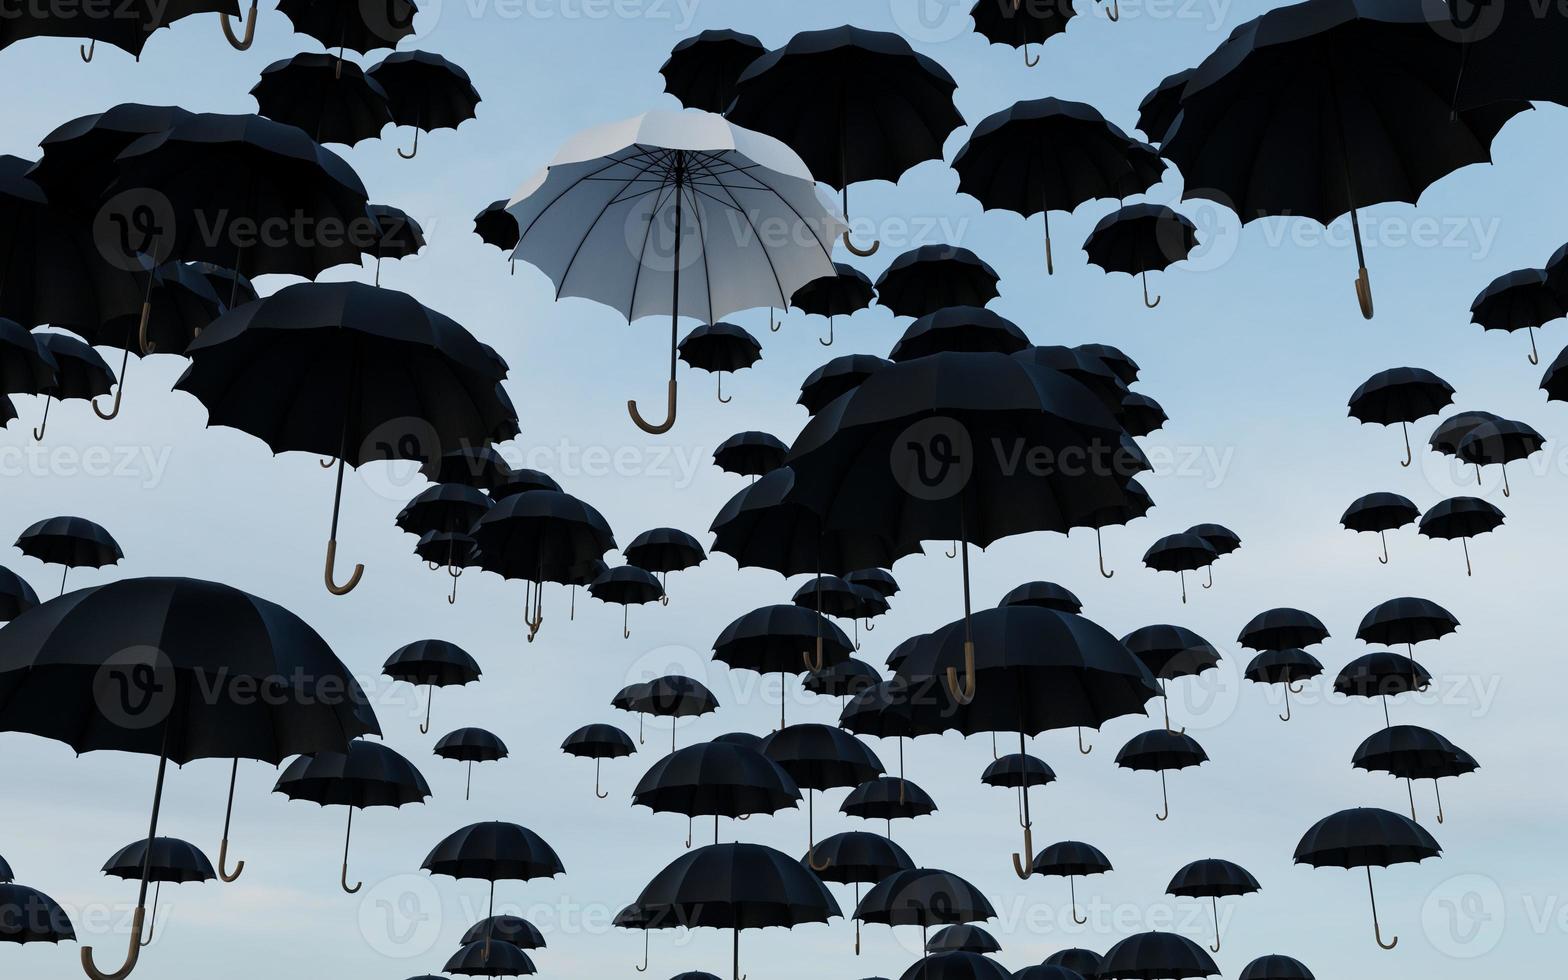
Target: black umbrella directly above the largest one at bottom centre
716	780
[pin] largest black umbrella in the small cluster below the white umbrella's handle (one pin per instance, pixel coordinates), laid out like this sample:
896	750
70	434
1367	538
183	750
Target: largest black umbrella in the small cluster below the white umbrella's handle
540	537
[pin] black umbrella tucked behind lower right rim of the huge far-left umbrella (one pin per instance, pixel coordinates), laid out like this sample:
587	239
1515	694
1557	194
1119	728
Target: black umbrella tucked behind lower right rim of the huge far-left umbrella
368	775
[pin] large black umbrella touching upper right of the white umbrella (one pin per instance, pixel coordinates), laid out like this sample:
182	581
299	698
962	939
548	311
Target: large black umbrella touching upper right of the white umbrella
855	104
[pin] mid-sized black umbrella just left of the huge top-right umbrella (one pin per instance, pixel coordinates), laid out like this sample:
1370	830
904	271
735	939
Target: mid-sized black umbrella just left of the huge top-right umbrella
1051	156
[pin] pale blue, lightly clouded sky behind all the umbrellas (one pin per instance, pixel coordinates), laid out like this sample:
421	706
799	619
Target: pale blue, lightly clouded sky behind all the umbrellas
1254	354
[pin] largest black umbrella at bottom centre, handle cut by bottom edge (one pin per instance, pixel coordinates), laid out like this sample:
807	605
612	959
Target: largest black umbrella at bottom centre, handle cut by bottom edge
735	887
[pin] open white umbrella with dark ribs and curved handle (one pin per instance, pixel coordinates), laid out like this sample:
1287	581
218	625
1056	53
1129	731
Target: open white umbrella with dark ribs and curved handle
677	212
